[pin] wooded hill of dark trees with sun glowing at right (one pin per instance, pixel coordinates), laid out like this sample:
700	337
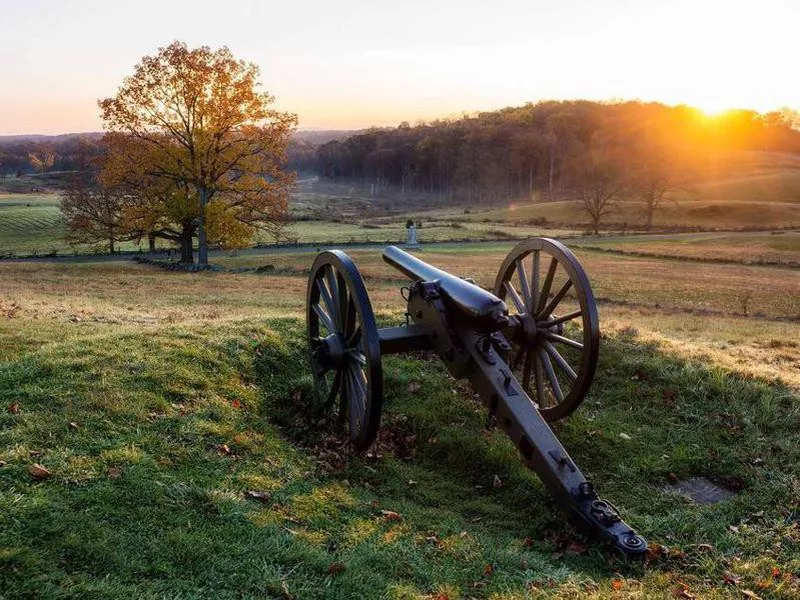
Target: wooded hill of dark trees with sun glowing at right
593	151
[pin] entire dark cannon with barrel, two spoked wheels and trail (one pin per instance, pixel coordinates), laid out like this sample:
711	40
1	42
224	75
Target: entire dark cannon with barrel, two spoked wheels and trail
529	348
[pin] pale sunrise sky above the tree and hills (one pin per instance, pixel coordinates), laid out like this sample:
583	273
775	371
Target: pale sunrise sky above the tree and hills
349	64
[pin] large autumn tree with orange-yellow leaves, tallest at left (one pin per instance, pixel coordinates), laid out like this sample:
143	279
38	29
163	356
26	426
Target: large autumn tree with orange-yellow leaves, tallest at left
200	123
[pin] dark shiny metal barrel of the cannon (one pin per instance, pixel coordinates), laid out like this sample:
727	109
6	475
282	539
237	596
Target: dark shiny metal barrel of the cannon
489	312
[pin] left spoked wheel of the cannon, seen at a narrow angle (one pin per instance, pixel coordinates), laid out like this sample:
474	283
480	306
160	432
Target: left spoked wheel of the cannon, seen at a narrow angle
344	346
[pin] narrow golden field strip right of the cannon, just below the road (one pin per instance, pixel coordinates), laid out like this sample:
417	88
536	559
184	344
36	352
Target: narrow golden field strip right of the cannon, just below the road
751	247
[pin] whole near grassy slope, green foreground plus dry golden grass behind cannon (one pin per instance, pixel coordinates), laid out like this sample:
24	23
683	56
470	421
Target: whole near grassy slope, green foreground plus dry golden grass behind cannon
158	401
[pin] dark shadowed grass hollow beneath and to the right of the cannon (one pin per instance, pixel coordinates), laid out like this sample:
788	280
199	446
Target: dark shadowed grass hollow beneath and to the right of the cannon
650	419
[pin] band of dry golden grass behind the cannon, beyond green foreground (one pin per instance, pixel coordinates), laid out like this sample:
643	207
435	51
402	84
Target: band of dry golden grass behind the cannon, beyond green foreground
666	299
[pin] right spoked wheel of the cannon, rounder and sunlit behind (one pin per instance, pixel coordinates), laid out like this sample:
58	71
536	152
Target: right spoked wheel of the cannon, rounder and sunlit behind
554	351
